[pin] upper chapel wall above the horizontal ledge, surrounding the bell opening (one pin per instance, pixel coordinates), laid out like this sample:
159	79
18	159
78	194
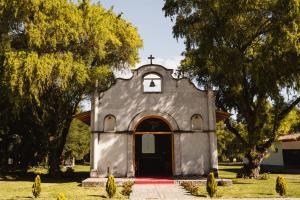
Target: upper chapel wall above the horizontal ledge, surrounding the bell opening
179	98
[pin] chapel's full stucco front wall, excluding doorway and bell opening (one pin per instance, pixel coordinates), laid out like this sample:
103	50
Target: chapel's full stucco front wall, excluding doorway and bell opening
125	104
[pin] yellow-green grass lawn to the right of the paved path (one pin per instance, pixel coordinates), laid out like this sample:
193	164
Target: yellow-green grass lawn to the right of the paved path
250	188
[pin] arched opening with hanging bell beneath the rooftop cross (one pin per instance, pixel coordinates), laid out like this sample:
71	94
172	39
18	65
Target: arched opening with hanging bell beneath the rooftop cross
152	83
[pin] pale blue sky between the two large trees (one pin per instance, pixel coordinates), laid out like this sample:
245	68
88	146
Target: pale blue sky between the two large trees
154	28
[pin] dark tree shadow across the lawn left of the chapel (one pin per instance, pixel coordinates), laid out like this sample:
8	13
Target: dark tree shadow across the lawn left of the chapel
74	177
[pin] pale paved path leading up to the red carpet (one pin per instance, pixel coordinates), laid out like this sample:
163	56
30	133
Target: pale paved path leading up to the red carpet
159	191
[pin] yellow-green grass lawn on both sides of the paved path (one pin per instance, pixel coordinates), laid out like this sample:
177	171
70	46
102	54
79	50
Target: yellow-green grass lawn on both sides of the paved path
20	188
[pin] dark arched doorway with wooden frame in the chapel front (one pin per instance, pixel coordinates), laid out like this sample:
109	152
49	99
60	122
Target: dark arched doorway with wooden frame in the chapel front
153	148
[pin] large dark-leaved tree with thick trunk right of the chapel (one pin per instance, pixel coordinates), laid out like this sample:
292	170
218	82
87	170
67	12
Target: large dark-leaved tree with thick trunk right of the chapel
248	51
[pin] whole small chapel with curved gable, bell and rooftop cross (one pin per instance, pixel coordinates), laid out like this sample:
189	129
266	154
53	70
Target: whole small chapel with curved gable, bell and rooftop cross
153	124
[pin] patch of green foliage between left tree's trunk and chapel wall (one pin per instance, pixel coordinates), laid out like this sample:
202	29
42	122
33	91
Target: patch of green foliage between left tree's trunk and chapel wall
78	140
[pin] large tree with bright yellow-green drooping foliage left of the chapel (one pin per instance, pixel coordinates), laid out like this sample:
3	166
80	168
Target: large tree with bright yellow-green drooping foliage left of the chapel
52	54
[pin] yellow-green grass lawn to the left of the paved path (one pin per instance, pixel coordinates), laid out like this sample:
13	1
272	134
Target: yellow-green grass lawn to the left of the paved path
20	188
